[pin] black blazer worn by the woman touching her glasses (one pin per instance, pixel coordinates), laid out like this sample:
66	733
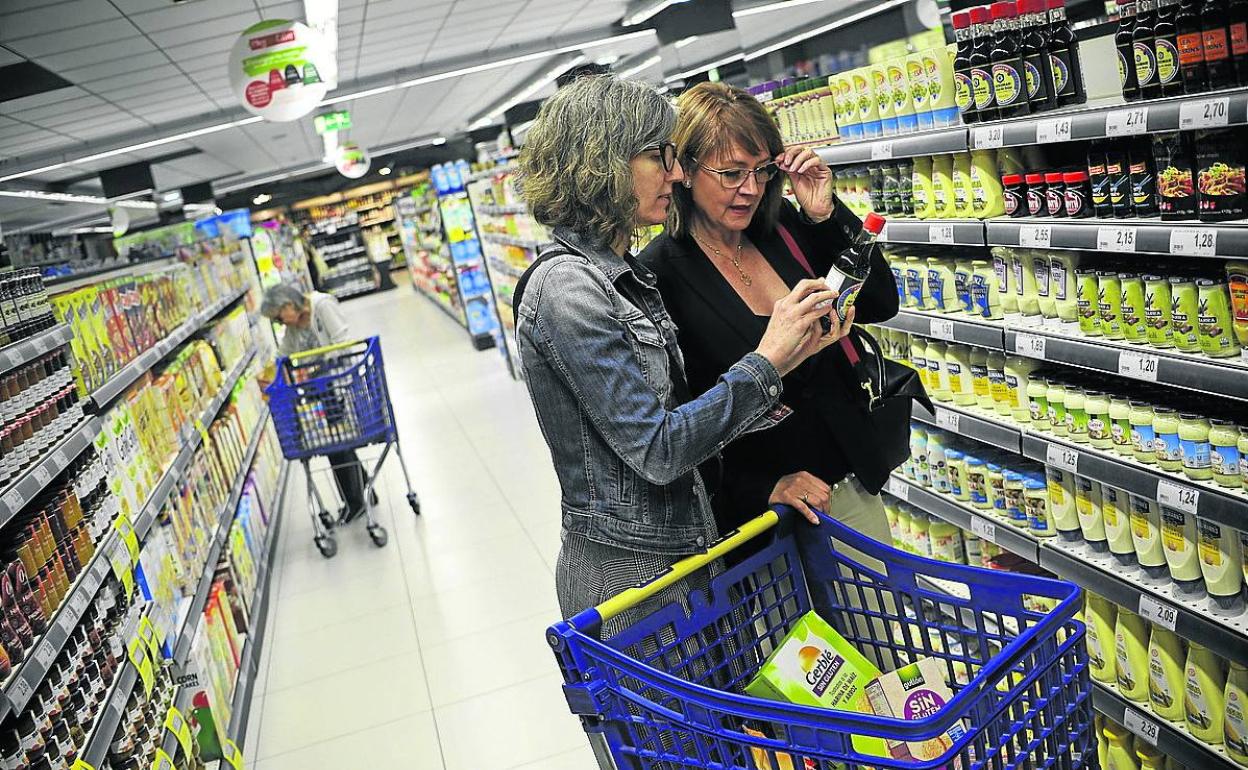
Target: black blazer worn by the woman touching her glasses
828	434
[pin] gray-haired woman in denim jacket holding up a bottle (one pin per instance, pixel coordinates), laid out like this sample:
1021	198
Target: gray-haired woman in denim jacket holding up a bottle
600	350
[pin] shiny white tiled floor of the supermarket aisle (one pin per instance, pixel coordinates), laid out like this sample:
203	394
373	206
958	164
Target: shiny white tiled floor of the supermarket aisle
429	653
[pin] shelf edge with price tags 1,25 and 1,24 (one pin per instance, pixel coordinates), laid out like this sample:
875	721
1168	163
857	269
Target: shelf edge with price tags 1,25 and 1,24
1204	500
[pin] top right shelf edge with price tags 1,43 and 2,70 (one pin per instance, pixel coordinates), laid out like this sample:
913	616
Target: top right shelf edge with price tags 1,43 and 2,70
1115	120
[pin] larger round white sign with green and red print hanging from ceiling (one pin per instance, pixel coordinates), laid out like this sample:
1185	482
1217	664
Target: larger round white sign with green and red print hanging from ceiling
275	71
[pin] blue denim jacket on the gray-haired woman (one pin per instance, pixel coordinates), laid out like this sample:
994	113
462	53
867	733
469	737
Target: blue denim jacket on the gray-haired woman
598	349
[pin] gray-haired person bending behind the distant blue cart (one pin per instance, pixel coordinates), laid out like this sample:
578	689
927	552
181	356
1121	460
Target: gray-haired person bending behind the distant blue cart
315	320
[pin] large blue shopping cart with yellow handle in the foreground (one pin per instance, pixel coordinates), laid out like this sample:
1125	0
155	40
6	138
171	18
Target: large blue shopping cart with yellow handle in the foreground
666	690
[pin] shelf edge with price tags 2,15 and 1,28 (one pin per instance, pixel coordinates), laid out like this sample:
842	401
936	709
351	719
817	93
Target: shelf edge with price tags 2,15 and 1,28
1125	236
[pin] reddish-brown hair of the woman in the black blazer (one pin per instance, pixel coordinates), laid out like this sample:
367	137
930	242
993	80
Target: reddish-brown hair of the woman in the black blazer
713	118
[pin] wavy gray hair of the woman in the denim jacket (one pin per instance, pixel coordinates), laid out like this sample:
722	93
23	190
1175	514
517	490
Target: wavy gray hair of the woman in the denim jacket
575	168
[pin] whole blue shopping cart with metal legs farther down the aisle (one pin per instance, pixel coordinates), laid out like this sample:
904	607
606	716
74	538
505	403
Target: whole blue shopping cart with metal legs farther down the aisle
335	400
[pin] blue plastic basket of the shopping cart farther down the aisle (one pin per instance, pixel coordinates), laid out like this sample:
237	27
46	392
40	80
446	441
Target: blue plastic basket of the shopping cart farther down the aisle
334	404
